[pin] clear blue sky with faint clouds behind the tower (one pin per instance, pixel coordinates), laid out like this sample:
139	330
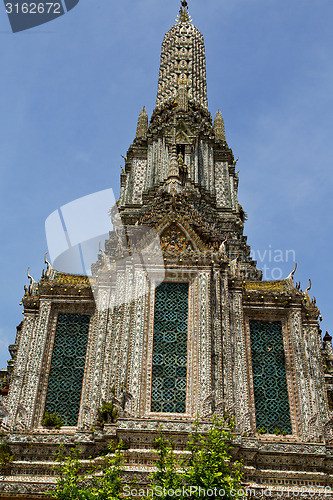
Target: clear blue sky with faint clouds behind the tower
71	92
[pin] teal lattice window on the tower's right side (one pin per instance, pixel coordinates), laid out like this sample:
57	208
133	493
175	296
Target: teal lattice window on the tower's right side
269	377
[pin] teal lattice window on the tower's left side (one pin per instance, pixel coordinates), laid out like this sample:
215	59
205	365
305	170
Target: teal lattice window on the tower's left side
67	367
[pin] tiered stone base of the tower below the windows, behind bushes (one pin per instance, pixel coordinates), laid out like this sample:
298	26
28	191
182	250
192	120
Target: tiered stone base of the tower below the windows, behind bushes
273	467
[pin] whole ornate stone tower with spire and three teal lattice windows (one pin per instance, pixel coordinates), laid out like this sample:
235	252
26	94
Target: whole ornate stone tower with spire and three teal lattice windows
175	321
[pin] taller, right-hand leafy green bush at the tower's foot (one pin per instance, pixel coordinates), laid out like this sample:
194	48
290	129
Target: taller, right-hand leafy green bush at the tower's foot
208	465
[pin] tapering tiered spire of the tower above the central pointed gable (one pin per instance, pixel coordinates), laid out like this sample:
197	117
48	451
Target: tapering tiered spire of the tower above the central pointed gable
185	158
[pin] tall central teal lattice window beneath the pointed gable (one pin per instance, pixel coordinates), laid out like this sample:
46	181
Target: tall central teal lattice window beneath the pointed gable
170	348
